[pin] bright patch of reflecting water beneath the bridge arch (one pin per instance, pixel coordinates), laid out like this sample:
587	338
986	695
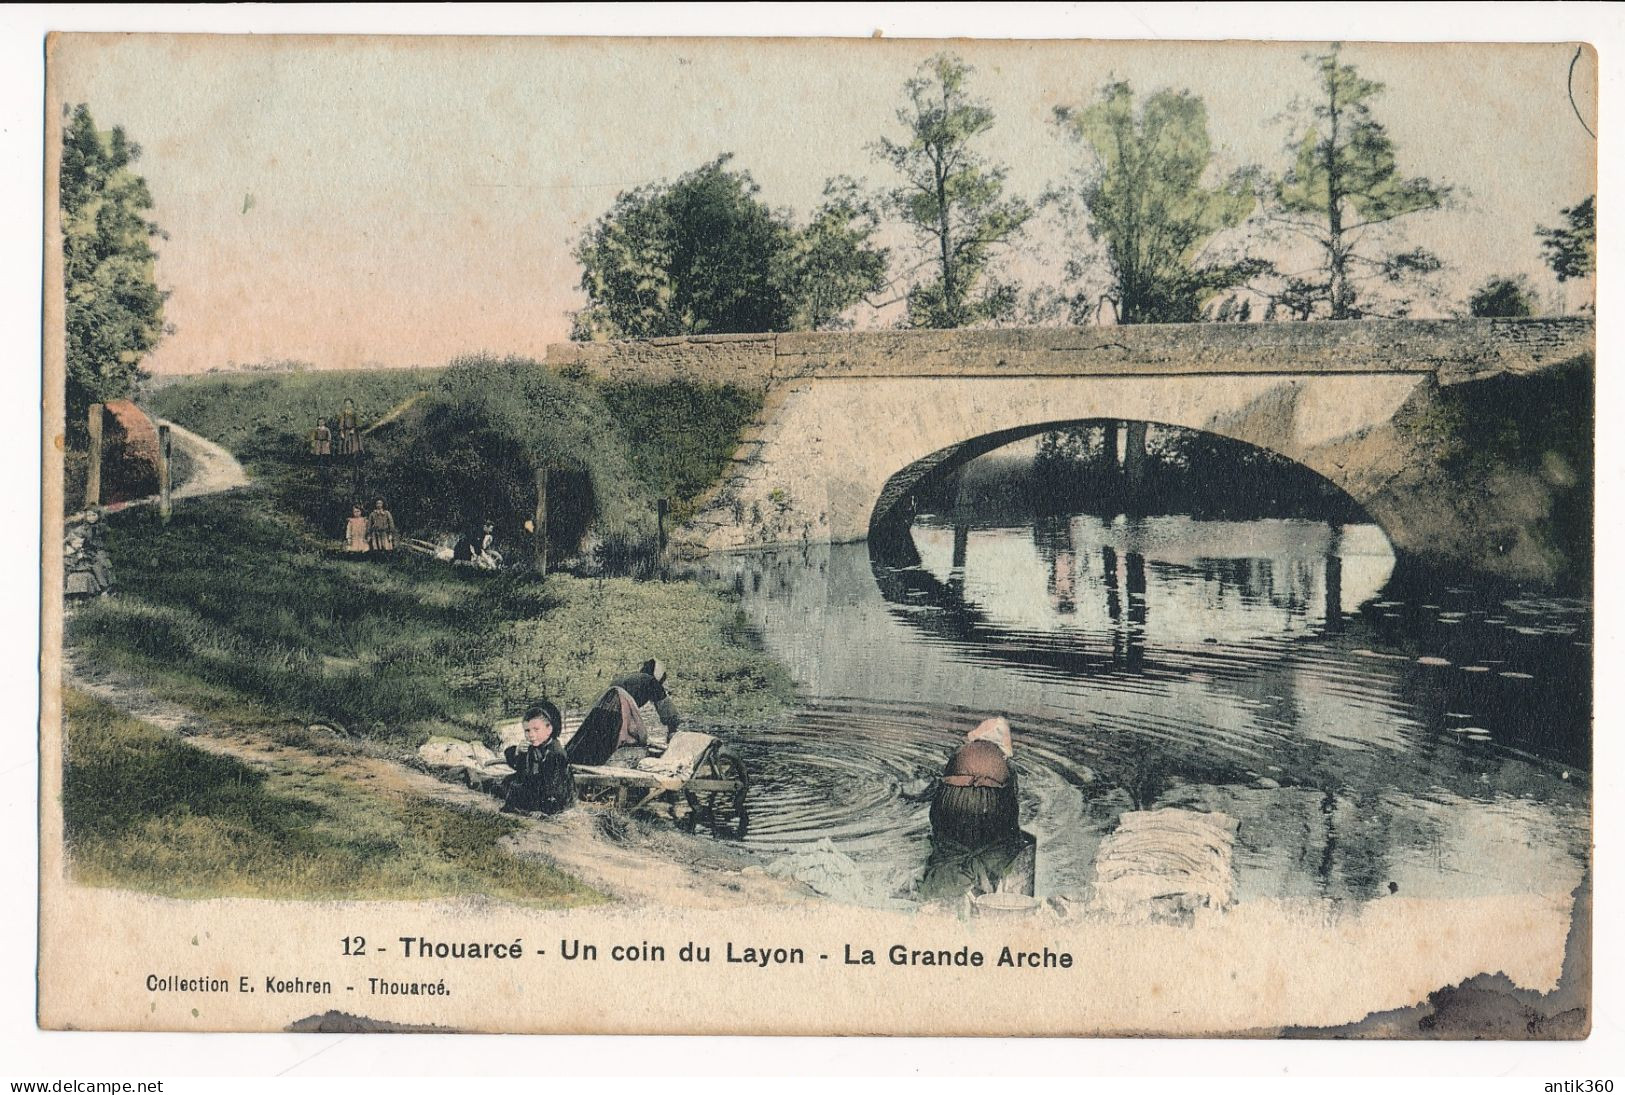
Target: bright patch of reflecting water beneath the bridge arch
1127	592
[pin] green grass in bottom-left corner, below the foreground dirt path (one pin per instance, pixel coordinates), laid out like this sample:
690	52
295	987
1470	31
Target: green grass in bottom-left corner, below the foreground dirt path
145	810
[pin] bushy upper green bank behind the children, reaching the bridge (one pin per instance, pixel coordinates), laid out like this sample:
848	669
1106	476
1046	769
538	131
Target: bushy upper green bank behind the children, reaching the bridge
449	448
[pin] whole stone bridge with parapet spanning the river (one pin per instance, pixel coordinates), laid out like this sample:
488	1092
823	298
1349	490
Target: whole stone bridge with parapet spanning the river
854	422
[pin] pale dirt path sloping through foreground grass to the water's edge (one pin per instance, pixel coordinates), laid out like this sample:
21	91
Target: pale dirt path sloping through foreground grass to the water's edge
635	862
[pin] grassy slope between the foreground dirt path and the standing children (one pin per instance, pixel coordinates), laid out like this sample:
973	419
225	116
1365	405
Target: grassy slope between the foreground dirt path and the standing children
238	610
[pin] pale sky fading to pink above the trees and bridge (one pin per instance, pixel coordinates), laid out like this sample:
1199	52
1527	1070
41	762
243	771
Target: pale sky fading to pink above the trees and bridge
402	201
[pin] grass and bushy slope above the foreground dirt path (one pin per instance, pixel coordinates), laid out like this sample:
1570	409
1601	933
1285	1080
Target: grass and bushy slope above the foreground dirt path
243	605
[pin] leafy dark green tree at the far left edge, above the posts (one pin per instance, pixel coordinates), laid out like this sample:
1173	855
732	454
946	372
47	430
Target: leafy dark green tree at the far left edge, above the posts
115	311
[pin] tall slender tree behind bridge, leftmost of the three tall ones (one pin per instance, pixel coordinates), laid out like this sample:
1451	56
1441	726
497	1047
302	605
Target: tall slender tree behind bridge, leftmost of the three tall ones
953	199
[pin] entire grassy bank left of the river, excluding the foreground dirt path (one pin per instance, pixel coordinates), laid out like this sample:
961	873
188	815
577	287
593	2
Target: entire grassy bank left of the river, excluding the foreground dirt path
245	608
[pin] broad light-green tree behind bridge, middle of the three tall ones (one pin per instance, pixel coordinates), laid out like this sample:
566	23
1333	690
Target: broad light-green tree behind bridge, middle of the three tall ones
1150	207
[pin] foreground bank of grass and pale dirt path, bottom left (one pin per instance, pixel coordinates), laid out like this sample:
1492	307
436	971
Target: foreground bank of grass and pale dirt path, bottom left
168	802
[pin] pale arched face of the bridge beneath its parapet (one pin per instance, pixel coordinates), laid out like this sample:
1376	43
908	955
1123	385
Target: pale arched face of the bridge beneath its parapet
831	448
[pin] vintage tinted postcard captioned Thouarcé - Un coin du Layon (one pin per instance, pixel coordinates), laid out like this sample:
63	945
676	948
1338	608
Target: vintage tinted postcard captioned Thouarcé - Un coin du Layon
818	537
